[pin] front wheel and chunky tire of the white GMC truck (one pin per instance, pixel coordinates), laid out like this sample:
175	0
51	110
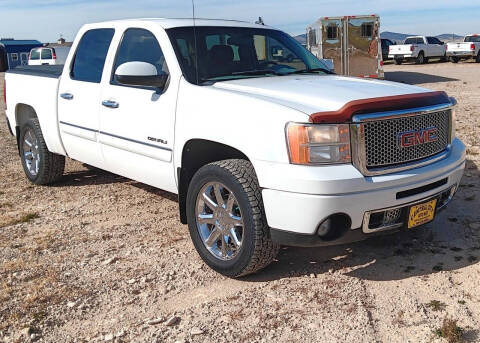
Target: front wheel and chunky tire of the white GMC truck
227	220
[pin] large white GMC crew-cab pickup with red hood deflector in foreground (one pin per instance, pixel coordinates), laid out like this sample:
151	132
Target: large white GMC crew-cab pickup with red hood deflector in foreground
261	153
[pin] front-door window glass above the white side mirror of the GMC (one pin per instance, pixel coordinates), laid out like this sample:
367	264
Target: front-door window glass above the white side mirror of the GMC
139	45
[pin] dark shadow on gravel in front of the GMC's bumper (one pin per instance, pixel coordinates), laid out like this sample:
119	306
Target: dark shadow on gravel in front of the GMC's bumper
449	243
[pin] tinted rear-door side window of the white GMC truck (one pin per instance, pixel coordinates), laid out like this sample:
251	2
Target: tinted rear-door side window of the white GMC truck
90	57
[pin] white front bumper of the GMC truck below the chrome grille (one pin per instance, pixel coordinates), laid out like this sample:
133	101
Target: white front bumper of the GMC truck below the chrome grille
305	204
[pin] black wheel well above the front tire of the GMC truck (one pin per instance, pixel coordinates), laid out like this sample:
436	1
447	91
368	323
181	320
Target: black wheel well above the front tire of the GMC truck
197	153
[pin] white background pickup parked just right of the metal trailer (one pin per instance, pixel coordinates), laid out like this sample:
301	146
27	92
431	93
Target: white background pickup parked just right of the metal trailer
419	49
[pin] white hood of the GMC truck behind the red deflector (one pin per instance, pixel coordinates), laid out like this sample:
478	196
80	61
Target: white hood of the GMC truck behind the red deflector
316	93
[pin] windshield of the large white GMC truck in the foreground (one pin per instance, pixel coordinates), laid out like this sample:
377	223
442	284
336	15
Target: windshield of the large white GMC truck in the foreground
226	53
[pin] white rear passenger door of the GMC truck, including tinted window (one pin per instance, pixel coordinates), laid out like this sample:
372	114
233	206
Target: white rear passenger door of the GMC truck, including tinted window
80	94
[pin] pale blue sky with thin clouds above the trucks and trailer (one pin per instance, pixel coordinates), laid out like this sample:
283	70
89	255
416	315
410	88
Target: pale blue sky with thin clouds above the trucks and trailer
46	20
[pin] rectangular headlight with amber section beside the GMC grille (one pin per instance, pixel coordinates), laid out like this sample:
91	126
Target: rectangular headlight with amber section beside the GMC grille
318	143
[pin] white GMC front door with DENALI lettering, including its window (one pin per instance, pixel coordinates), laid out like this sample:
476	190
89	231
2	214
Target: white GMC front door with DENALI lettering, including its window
137	123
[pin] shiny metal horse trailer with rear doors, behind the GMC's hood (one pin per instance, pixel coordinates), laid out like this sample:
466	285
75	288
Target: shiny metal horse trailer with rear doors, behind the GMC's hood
351	42
